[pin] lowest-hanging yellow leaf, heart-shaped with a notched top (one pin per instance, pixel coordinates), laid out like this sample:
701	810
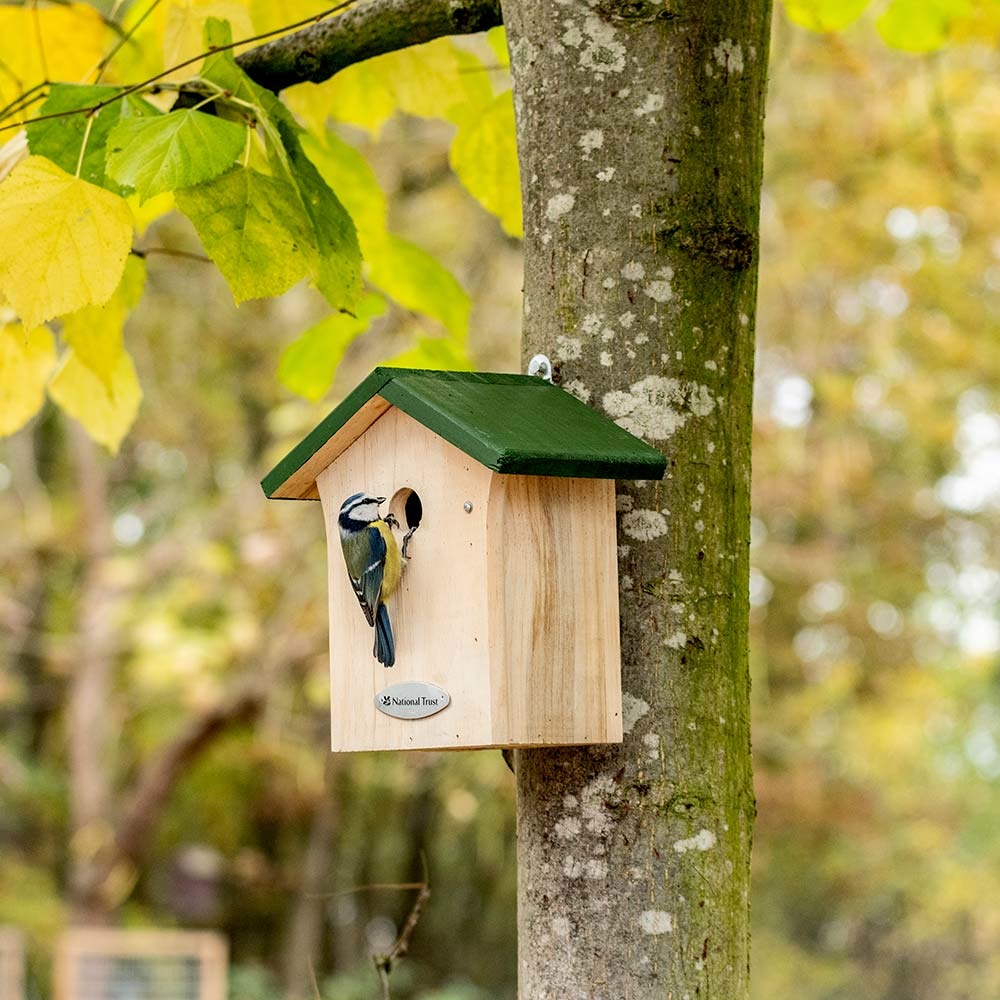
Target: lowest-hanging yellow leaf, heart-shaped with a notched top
106	416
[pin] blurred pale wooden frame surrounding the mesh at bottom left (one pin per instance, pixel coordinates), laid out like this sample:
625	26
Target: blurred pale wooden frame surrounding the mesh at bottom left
81	943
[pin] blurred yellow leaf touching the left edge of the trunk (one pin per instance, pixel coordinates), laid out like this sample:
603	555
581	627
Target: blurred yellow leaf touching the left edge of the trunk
484	156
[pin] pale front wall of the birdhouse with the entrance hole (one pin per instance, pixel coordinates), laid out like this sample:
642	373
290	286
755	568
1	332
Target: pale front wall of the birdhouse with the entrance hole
439	614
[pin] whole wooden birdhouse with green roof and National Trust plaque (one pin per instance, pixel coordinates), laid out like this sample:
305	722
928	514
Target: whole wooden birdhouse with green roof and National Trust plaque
505	619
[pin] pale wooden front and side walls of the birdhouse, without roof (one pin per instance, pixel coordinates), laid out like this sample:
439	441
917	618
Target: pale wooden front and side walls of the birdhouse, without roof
512	607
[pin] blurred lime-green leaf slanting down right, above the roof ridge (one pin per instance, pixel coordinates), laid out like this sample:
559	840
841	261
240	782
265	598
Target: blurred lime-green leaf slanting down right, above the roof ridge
414	279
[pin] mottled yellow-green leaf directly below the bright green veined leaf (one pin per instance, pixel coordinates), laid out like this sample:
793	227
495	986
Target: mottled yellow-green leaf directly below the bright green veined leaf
252	226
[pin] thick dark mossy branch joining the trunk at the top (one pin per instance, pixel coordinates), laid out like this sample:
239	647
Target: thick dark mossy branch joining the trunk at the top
316	53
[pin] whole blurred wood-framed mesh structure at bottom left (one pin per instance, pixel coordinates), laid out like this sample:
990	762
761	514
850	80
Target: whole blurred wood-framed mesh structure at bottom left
112	964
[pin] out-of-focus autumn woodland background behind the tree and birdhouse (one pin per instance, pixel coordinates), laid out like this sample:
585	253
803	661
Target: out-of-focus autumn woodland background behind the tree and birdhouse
875	584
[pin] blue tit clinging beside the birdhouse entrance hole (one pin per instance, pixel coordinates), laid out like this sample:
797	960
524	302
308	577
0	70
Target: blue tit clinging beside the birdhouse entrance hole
373	564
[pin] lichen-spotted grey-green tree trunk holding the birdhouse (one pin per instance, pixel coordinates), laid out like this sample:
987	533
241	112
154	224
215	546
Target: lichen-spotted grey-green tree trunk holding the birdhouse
639	136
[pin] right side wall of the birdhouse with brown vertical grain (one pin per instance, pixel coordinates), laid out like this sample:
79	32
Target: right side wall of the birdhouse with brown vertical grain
553	578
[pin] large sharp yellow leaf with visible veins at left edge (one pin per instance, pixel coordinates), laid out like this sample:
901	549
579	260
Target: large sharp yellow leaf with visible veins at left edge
63	242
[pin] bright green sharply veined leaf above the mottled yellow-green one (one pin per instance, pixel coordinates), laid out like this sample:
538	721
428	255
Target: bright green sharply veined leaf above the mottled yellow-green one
177	150
